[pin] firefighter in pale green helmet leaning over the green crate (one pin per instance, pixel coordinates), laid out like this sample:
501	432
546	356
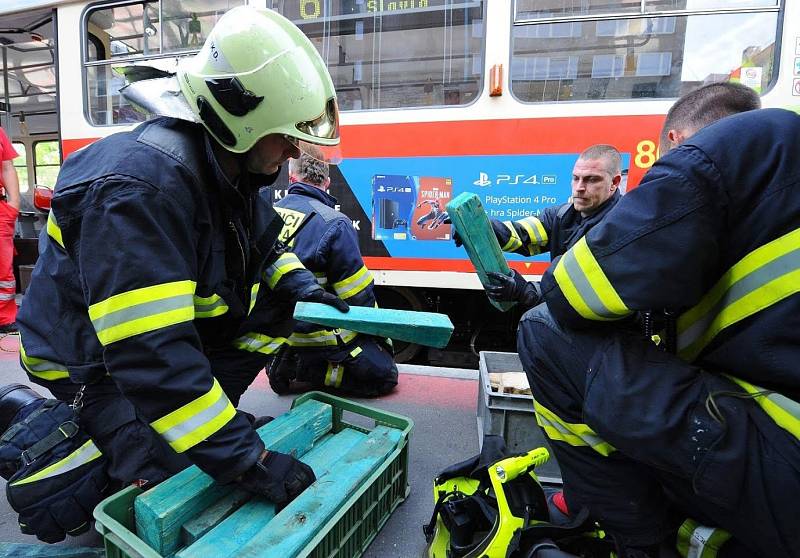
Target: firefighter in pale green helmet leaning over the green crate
160	272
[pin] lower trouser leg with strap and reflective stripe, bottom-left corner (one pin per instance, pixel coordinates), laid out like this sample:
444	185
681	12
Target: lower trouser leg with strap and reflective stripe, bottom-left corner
56	475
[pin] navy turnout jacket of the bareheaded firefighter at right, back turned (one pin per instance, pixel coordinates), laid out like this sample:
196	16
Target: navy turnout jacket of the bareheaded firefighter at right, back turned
712	233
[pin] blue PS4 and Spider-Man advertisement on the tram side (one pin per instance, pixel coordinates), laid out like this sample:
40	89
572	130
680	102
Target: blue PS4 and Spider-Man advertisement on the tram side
400	196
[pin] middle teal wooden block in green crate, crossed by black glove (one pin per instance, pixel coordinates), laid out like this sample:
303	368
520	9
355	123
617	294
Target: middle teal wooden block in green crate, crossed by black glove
230	535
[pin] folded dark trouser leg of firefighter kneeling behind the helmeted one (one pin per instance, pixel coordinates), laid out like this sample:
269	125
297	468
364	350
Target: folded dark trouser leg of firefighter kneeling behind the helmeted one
362	367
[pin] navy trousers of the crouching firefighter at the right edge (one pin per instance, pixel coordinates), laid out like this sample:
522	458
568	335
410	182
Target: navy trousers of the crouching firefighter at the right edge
645	440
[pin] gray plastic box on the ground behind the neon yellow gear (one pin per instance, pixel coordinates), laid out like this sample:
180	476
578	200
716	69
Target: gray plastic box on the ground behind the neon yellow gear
510	415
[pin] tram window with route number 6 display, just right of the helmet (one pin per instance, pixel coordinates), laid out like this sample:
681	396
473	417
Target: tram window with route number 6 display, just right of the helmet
390	54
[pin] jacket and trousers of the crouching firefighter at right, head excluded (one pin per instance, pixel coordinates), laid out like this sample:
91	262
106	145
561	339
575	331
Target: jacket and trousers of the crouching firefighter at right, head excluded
646	438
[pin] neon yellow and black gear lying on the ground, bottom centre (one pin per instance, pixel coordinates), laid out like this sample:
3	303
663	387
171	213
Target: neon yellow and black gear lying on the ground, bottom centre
492	506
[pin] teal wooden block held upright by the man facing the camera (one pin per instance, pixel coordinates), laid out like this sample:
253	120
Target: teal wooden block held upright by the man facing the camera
472	225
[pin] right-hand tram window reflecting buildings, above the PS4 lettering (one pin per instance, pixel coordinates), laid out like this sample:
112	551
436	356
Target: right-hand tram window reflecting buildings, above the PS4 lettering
658	57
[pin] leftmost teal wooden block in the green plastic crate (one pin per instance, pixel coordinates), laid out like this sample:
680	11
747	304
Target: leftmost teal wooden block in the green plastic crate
162	511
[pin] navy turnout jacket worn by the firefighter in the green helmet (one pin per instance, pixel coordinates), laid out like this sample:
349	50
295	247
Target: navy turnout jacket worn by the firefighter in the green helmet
153	268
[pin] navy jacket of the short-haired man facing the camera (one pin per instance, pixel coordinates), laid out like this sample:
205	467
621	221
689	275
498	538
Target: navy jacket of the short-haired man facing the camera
555	230
